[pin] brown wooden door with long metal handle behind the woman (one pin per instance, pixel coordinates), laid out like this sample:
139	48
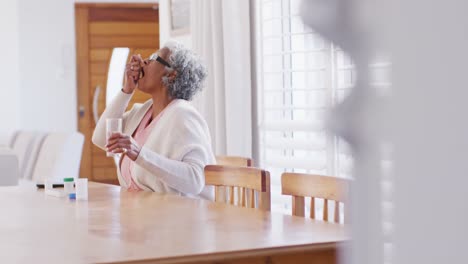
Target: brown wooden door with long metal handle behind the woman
99	29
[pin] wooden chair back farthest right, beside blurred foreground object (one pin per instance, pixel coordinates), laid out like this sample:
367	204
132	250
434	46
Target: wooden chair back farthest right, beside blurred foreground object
314	186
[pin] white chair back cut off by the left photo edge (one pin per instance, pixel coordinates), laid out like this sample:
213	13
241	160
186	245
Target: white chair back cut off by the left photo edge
8	167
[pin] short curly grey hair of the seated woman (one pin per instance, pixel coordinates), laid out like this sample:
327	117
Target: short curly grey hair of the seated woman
191	72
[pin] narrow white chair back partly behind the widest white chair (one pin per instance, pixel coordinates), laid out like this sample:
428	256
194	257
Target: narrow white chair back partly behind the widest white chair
26	147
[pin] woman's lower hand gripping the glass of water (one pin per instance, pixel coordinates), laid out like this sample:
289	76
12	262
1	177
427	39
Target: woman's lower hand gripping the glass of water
123	144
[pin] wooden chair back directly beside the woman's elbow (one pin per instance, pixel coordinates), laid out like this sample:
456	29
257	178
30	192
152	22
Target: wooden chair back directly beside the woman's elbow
240	179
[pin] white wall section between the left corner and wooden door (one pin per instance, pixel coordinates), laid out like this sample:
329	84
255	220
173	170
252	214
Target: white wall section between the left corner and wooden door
48	65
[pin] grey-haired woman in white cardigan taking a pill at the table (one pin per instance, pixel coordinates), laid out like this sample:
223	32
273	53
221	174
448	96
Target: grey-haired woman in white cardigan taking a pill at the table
165	143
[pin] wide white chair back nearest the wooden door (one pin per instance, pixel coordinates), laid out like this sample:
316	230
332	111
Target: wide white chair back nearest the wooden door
59	157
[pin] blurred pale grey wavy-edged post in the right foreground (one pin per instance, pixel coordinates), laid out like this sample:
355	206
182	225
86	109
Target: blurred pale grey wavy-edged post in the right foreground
351	25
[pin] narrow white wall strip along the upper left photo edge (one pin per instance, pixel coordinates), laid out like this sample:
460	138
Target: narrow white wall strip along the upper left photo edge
9	88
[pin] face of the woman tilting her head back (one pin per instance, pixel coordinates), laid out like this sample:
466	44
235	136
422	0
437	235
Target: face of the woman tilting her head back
152	73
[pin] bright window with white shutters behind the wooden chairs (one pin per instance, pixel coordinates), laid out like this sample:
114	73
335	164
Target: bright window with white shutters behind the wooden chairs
301	77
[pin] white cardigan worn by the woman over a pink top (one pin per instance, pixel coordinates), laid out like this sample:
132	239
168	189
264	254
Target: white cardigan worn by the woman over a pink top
173	158
